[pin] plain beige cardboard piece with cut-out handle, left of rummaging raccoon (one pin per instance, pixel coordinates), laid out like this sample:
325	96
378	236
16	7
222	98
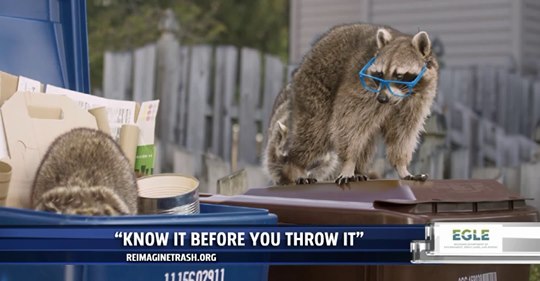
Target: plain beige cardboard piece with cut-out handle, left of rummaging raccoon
32	121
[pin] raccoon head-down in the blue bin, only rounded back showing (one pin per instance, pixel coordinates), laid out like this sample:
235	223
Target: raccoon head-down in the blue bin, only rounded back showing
85	172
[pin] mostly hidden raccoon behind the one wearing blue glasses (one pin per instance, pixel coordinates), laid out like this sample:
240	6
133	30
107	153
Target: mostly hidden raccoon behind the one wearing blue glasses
276	152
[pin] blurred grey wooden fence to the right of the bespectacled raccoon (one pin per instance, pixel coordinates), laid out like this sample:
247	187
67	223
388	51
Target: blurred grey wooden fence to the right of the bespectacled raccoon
492	112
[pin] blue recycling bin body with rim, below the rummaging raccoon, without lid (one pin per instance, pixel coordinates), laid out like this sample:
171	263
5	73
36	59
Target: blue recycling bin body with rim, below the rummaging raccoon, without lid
210	215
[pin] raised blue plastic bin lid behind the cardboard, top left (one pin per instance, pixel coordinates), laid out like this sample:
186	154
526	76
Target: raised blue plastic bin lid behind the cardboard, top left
46	40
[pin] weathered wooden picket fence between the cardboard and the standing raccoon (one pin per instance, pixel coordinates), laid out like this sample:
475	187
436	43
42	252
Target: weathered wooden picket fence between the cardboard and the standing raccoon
205	92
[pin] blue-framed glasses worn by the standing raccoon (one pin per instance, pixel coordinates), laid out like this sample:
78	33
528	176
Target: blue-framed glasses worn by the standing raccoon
376	84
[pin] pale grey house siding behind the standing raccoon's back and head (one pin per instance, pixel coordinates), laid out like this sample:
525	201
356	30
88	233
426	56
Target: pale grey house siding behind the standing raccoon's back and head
488	32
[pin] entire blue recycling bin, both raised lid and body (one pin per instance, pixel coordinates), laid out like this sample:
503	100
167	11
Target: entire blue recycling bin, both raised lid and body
47	40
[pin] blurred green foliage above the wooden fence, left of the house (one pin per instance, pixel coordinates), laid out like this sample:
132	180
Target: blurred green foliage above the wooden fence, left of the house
128	24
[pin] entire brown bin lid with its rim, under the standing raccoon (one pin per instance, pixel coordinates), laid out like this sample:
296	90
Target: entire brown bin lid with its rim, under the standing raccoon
386	201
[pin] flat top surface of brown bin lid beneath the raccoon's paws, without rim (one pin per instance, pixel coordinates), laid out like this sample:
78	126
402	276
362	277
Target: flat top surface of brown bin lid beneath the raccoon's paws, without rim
397	191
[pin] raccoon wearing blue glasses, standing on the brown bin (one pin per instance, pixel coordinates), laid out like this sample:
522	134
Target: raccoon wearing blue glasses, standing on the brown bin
357	82
